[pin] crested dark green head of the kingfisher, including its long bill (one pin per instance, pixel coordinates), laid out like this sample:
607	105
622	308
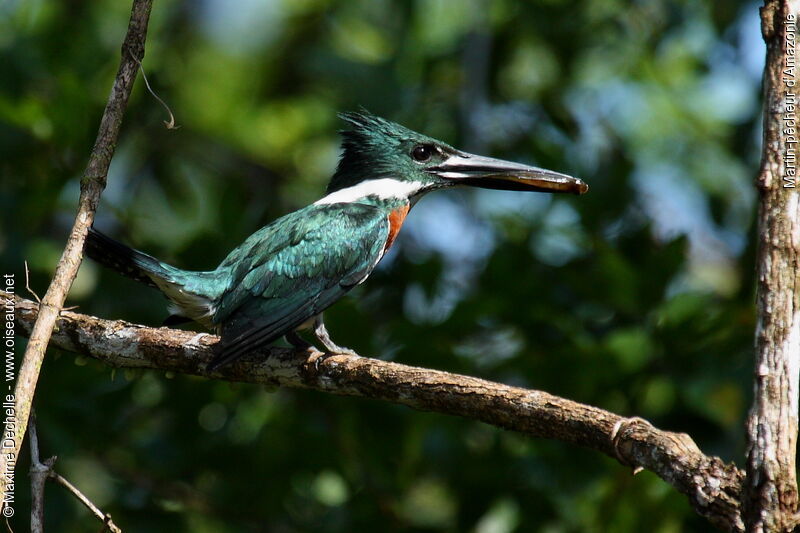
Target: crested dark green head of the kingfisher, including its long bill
375	148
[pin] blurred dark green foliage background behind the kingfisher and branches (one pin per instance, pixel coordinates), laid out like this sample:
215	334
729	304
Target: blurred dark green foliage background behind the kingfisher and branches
636	297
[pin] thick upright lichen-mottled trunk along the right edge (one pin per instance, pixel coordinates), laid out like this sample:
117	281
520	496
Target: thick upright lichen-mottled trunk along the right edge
770	492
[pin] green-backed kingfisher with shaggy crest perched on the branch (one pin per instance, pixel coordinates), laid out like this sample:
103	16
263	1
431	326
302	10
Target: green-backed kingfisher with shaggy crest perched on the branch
282	277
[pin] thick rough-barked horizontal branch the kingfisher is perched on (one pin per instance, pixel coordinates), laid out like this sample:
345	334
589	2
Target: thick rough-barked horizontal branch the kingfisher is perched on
713	487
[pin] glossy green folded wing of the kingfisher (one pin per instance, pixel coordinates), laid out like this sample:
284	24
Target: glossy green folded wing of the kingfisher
291	270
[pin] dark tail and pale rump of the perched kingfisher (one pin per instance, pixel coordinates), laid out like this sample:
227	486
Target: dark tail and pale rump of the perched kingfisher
192	293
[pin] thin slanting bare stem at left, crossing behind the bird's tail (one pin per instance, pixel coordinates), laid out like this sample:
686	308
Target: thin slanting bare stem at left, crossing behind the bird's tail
92	184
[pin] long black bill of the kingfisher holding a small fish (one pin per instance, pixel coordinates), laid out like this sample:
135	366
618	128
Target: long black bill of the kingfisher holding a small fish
489	173
